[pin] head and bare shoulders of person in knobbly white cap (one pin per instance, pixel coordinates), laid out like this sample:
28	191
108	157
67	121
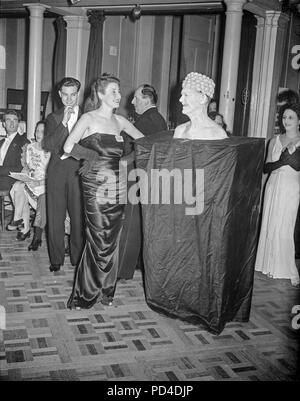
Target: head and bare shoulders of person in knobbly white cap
197	90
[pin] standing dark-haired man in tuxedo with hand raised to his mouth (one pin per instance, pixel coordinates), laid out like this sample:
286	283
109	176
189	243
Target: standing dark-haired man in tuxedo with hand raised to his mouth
63	192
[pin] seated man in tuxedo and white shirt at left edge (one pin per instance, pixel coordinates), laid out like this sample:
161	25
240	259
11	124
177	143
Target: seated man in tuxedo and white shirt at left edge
10	152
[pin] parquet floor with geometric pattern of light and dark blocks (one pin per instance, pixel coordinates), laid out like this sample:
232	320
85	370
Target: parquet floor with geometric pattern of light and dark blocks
43	340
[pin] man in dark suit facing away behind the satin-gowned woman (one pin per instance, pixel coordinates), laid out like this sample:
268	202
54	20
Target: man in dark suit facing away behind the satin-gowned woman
149	122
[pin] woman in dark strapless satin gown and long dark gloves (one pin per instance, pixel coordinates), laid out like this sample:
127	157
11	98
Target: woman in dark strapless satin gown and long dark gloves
103	189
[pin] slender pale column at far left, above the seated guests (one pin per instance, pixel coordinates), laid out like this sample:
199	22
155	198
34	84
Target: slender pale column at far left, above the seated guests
35	65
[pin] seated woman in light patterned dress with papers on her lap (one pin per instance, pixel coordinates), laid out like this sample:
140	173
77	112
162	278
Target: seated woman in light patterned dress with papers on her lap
31	191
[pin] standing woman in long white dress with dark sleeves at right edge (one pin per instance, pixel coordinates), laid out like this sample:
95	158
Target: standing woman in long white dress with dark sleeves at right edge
276	249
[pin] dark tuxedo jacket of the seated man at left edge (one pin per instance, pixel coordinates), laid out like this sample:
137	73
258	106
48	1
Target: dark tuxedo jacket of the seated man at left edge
12	161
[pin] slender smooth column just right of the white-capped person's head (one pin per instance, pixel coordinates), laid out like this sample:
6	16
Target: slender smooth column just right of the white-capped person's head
230	63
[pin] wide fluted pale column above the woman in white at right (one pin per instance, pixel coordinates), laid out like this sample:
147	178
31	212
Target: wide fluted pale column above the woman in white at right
268	59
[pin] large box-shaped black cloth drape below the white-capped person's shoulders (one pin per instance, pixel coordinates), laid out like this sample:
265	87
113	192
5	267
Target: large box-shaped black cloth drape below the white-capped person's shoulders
200	267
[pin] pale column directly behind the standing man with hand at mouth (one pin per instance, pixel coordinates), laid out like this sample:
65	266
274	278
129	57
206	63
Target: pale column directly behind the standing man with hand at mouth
78	33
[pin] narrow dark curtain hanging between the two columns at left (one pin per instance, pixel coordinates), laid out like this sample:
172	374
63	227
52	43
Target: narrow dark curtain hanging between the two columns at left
59	62
